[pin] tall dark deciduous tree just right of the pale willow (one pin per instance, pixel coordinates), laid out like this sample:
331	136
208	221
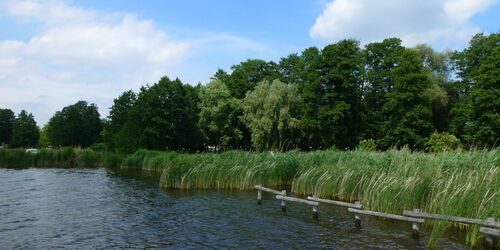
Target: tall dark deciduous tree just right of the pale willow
339	90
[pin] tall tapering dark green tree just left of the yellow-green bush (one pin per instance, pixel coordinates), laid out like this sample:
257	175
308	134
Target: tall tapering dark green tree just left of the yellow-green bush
407	108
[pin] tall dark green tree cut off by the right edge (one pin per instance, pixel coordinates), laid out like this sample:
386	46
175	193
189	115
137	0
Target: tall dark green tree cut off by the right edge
476	117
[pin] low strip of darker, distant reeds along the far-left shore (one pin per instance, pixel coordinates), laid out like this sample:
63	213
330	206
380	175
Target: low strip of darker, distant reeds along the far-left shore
66	157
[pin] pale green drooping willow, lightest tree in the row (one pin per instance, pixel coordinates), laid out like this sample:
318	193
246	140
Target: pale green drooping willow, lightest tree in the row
271	112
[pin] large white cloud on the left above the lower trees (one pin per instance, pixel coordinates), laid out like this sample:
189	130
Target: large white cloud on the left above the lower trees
85	54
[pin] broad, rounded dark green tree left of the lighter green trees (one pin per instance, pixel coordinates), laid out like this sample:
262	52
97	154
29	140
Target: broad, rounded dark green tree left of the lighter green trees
164	117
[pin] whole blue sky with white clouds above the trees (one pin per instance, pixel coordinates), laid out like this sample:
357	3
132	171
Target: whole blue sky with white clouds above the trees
54	53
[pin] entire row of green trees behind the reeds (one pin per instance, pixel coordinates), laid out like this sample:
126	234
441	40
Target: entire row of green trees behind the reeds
341	96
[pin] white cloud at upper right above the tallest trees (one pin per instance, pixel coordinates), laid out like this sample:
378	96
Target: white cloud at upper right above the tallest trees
443	23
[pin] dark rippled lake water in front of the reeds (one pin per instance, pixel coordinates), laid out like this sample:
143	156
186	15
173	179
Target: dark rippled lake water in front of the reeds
102	208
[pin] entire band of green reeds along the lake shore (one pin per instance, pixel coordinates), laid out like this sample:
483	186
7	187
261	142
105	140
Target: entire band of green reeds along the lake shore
460	183
